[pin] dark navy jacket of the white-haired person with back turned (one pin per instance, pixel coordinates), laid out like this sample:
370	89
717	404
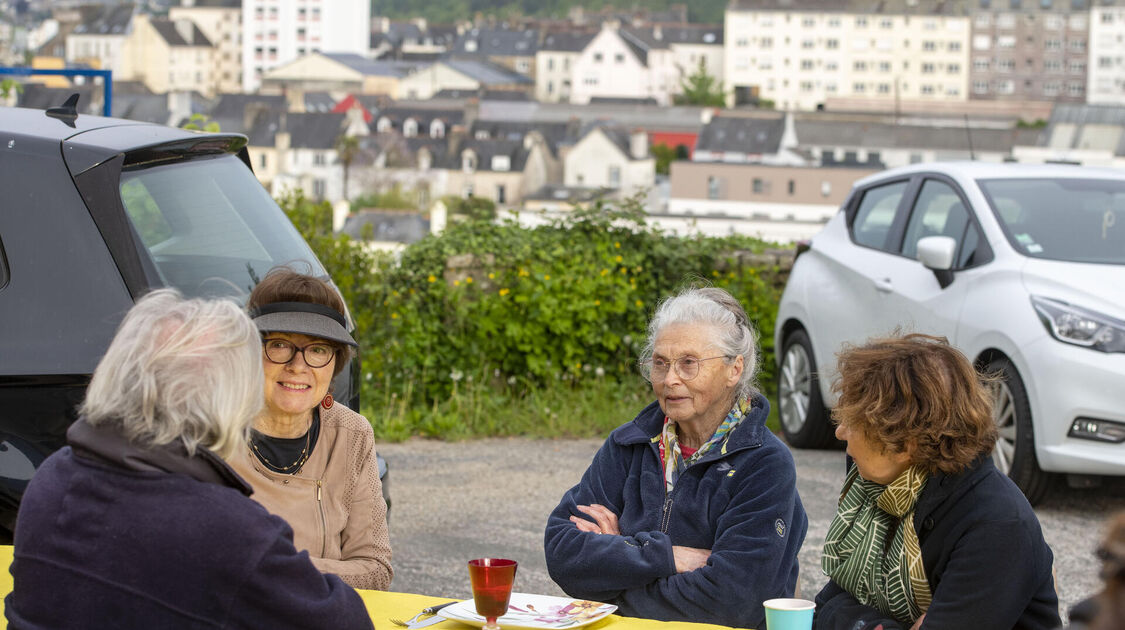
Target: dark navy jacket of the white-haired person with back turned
112	536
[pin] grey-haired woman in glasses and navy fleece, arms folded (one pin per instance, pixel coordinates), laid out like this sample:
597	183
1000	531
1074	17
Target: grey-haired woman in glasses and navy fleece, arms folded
689	512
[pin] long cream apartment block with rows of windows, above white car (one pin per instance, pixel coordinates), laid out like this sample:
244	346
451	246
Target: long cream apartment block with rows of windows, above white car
799	53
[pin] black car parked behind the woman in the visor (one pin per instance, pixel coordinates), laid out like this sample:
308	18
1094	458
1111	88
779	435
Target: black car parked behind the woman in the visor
95	213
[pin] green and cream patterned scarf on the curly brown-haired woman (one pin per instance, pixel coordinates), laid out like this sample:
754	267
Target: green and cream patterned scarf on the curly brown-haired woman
872	550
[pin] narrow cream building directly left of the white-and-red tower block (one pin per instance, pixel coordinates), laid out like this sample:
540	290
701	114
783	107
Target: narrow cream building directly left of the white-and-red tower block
221	21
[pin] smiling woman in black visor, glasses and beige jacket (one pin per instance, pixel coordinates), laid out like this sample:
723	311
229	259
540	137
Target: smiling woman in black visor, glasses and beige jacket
312	461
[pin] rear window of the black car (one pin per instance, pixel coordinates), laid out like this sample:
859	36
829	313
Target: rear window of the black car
210	227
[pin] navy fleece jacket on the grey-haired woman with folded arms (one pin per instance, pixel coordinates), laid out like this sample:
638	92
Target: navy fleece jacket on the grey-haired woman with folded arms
741	503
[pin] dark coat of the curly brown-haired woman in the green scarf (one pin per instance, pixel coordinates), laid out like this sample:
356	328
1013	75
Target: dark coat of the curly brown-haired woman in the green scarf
985	556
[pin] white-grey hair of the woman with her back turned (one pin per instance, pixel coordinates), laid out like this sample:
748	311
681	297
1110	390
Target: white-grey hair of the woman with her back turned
181	370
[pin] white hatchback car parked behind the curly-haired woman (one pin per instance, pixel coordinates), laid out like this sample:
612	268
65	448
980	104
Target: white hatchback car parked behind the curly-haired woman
1021	267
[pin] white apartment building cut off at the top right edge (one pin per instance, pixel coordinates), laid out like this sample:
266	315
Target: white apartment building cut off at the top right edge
1105	83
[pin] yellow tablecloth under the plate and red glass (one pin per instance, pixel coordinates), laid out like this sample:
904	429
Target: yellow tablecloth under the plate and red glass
383	606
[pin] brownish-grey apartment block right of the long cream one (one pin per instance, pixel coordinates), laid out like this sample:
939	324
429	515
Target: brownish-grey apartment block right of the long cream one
1030	50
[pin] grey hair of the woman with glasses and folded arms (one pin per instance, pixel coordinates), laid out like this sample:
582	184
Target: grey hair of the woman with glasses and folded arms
718	309
